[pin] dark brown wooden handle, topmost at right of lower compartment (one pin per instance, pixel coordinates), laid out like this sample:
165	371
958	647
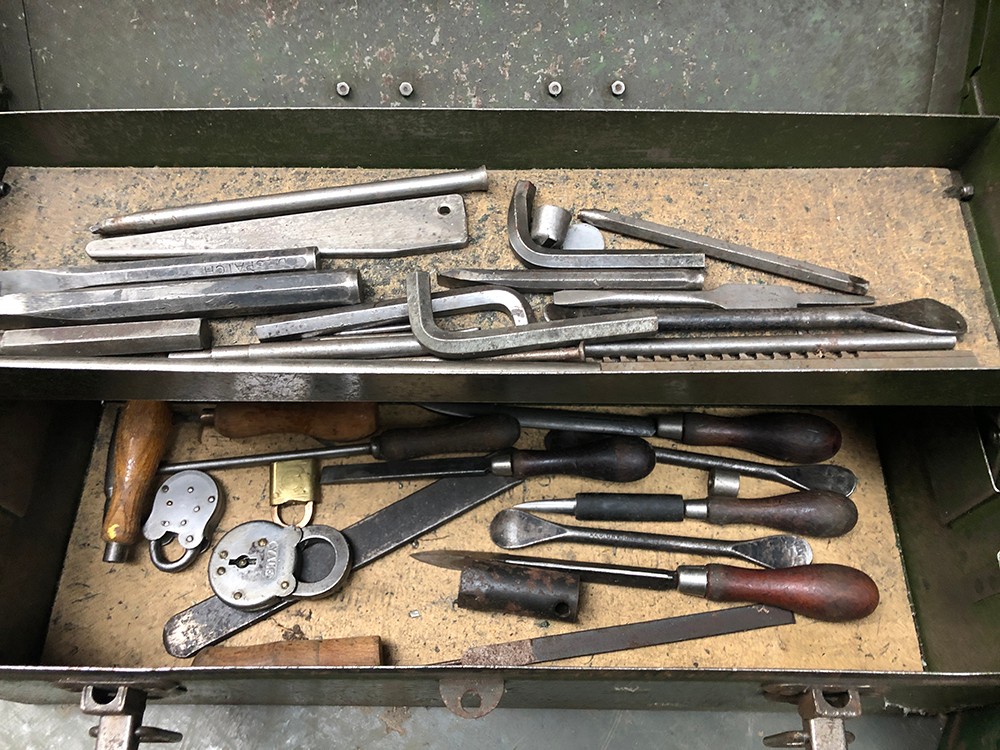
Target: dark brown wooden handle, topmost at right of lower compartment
795	437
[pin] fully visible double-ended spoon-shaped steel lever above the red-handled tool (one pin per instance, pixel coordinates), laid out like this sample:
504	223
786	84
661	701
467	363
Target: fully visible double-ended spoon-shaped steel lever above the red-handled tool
514	529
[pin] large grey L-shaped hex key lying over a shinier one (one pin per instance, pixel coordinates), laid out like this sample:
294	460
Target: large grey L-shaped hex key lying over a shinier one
484	343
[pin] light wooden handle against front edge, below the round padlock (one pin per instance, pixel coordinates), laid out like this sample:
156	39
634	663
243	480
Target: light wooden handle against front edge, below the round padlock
362	651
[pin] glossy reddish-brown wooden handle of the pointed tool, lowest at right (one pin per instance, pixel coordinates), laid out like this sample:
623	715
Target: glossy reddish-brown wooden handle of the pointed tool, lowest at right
835	593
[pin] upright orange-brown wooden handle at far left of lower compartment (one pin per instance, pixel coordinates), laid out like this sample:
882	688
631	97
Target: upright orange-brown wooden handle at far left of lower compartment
141	439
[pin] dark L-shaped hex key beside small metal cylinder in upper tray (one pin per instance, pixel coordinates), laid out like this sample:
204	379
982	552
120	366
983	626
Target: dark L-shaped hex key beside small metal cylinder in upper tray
533	254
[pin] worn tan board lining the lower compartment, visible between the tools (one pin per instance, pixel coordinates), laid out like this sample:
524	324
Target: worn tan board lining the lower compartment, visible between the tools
113	615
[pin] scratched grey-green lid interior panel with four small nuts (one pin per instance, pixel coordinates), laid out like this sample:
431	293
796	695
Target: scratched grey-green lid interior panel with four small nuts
858	56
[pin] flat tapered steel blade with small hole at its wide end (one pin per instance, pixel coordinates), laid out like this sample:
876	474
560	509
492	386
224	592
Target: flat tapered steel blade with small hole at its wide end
405	227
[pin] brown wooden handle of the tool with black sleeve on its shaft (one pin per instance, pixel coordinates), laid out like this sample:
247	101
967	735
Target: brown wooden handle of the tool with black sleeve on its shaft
811	513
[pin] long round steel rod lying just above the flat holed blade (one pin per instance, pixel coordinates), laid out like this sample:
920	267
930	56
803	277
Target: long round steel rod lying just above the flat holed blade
295	202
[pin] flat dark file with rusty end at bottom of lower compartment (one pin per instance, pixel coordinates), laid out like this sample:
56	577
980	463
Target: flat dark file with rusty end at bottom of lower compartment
624	637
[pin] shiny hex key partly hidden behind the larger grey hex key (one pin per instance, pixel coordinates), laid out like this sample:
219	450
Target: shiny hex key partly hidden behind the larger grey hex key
450	301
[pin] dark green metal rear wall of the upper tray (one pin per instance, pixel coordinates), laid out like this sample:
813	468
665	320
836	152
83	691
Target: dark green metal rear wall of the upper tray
398	137
